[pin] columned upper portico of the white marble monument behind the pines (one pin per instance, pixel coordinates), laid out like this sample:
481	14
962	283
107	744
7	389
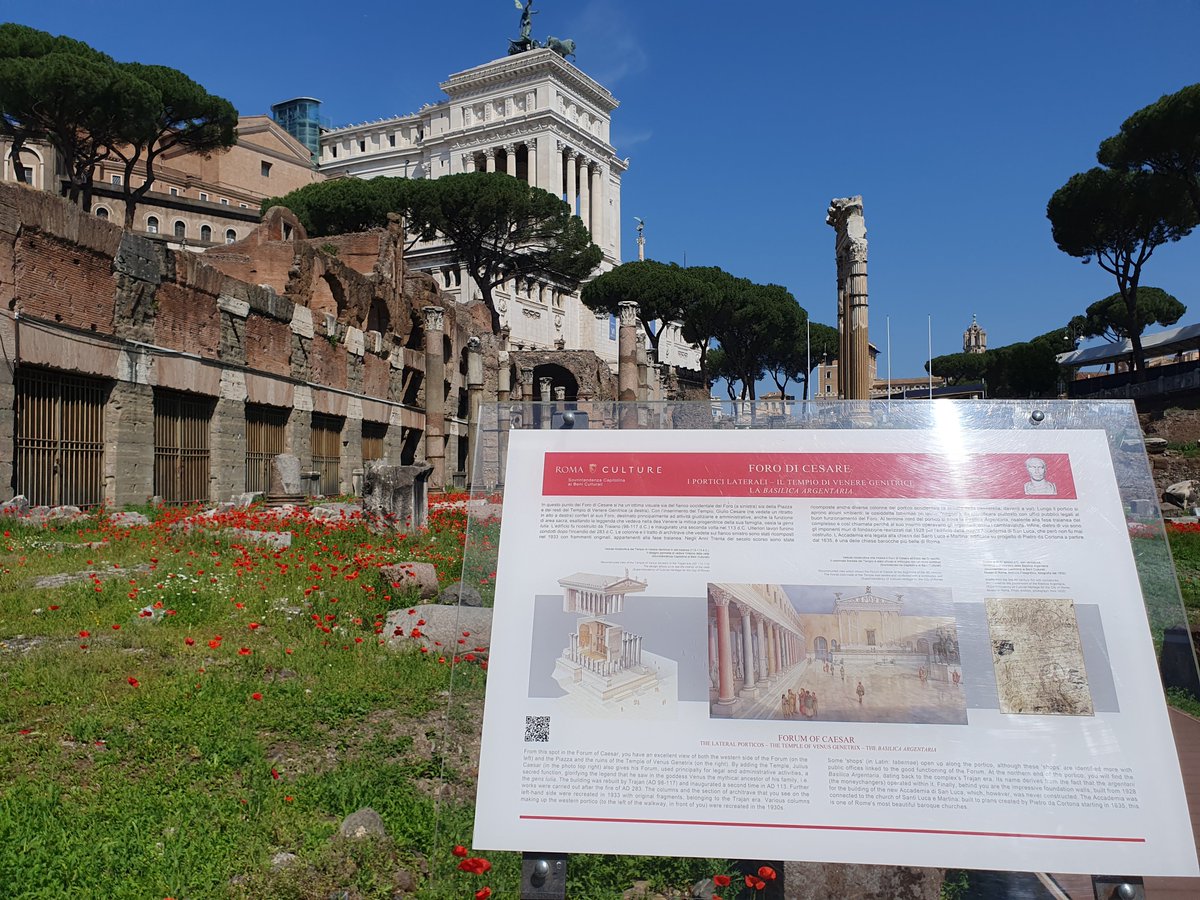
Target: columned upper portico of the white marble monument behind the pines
580	179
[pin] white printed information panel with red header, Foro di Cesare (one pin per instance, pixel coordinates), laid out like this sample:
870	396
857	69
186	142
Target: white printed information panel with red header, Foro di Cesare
921	647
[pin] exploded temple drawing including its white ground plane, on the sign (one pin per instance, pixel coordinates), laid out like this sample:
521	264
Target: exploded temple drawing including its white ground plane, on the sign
605	670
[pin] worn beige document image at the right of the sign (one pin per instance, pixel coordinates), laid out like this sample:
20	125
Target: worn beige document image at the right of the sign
1039	658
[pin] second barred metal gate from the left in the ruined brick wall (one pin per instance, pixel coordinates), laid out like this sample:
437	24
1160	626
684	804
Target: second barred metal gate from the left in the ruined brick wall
182	447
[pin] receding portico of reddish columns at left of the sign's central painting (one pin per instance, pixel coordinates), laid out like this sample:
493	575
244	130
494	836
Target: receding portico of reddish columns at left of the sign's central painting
767	646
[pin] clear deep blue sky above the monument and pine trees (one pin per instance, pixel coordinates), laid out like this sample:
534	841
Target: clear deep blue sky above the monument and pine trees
956	122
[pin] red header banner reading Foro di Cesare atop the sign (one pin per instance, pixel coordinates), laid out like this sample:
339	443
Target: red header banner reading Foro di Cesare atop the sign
975	477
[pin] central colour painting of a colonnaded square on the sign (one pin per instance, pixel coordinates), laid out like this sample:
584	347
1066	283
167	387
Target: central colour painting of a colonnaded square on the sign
833	655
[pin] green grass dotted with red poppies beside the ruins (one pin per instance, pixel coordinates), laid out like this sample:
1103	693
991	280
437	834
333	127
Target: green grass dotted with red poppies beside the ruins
193	706
